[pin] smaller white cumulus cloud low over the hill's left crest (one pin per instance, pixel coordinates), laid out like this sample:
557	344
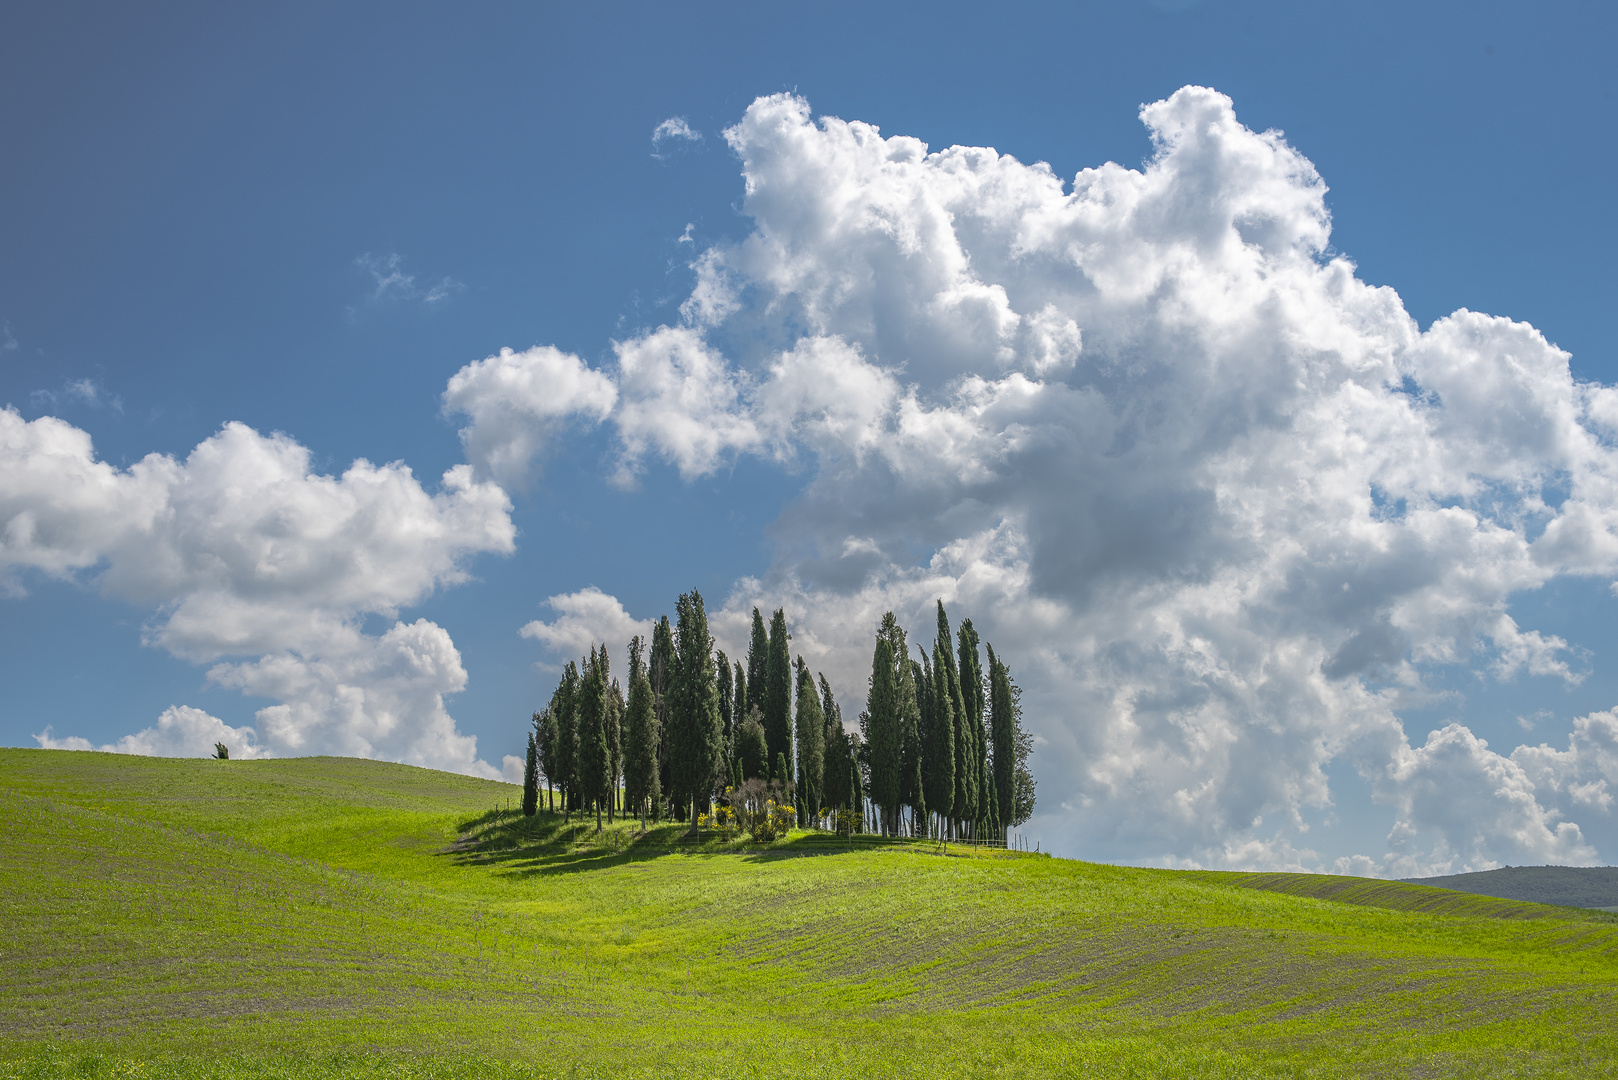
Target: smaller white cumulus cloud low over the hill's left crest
242	551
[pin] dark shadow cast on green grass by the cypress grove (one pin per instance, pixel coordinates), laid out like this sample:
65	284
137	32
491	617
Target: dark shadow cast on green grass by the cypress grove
549	844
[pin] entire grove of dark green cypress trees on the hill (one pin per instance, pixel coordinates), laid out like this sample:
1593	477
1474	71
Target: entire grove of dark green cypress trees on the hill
939	749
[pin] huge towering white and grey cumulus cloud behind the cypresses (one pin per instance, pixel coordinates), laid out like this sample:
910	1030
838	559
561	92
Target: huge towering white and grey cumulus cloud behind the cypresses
1227	504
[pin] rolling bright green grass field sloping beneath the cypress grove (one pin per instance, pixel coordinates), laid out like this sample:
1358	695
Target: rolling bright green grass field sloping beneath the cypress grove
349	919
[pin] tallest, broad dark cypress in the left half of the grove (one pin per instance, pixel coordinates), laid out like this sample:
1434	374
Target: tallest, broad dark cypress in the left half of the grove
695	725
